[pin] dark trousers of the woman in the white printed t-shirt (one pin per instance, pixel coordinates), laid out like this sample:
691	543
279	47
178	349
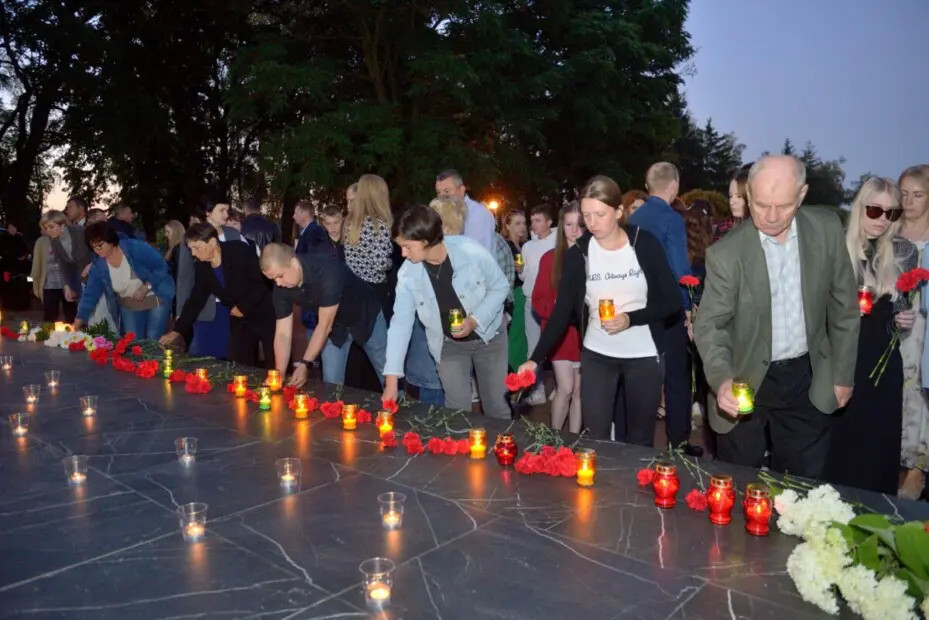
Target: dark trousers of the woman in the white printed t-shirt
641	381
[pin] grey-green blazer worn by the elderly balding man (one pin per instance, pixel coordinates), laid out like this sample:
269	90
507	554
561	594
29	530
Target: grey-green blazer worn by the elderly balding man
733	325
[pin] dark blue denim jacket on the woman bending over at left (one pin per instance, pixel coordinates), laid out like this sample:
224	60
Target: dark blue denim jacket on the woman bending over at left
145	261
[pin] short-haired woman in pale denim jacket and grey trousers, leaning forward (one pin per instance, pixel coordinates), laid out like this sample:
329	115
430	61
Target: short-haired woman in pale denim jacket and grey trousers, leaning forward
440	275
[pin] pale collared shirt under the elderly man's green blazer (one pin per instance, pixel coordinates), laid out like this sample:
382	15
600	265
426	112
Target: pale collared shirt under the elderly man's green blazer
788	322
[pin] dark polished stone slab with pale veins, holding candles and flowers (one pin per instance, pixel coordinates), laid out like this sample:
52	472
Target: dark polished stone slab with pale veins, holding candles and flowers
478	540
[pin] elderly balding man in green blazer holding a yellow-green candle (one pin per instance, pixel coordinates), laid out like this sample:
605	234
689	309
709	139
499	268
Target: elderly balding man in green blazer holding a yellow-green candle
779	311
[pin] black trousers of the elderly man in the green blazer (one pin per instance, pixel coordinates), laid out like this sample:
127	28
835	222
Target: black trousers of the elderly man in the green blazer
784	422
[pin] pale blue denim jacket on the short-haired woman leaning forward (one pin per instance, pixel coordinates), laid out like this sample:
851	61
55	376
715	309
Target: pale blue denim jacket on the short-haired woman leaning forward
481	287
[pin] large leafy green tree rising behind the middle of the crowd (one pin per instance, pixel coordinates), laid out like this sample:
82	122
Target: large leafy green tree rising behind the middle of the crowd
526	98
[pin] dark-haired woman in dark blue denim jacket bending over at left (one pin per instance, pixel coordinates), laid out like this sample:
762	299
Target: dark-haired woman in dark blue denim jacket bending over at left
132	277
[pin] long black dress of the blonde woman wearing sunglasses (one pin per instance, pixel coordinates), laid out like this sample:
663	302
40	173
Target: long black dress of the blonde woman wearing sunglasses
865	448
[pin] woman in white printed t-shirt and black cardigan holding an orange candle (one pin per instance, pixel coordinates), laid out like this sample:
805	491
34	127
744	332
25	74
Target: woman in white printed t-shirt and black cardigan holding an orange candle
626	266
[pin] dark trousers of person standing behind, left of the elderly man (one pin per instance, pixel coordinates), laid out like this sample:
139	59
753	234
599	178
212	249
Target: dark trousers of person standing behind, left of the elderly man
677	397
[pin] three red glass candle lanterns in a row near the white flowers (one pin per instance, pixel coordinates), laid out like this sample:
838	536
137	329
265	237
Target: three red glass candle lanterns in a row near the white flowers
720	499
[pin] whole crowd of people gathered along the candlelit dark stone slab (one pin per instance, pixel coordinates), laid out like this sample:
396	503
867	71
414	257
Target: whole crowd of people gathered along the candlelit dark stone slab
442	304
